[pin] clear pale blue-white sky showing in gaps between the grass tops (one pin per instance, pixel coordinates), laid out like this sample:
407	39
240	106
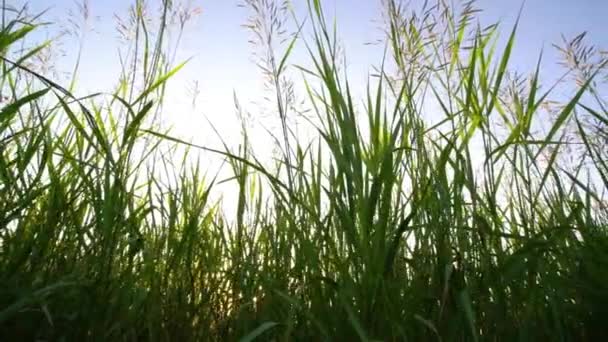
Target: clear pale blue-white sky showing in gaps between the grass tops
222	62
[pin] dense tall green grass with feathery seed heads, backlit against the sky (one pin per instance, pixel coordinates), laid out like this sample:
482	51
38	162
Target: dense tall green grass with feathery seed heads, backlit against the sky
438	210
